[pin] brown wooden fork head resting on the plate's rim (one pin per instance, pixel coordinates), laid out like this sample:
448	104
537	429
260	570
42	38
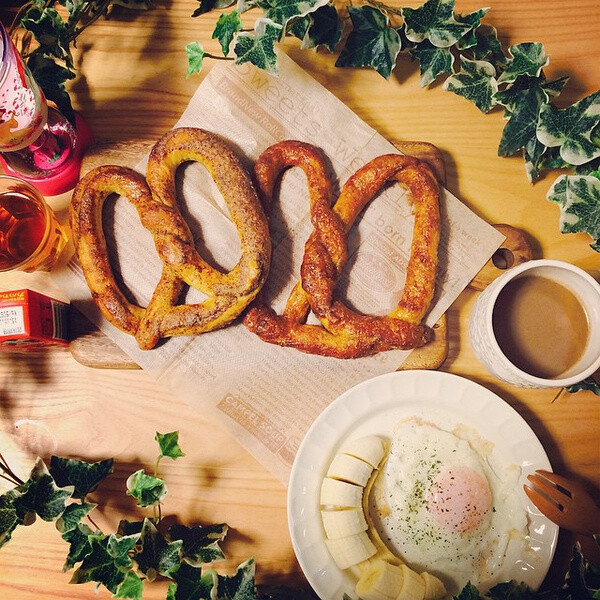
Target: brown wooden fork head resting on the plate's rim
565	502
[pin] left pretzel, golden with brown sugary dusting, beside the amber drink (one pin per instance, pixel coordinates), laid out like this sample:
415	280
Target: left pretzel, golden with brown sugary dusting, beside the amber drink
228	294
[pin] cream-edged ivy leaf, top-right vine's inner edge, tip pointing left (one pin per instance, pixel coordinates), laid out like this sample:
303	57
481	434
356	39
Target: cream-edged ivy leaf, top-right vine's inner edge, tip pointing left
476	82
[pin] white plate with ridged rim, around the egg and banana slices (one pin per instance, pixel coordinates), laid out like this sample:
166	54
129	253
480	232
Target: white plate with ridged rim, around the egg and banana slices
375	407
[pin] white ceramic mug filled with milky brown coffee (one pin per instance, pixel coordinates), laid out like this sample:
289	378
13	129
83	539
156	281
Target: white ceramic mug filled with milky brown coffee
536	317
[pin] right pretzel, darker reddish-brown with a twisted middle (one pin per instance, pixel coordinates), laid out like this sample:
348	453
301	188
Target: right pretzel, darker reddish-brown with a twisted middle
345	333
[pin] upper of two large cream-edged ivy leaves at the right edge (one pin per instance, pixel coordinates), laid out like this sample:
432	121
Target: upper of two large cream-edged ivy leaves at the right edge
571	129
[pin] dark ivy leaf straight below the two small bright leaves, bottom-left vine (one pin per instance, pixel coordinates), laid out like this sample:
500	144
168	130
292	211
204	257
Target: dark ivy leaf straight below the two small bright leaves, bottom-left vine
158	556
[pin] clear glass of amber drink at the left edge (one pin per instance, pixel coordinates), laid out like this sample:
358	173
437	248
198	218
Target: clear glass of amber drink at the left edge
30	236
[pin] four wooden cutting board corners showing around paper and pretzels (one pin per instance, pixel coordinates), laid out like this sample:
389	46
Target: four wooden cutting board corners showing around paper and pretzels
92	348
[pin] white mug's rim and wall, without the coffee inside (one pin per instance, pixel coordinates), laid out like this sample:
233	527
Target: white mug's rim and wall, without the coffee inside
485	344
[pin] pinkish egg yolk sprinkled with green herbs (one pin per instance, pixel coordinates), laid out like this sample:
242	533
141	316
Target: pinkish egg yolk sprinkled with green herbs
459	499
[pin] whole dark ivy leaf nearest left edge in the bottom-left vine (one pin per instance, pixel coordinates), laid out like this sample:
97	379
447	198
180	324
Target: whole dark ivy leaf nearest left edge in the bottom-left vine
41	495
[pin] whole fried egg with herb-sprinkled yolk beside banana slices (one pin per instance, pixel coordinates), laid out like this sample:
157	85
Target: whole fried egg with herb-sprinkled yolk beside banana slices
441	508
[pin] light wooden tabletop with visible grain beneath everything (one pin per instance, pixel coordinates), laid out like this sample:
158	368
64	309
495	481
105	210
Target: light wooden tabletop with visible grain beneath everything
131	84
